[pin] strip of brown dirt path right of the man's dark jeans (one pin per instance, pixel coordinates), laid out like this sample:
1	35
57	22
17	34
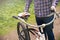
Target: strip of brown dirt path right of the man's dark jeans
57	28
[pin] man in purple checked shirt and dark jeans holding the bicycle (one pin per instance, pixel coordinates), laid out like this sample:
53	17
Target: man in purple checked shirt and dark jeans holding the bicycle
42	9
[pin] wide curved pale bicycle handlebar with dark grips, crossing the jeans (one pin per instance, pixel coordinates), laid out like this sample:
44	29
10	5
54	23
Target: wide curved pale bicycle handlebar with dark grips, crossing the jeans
35	26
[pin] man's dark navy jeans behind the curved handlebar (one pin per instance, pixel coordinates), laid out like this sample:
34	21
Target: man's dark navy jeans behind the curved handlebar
48	30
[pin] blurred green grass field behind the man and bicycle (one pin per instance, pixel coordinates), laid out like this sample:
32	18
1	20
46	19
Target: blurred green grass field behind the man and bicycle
7	10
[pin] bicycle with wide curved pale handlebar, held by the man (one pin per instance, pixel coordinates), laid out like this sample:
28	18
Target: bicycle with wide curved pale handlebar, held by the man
24	32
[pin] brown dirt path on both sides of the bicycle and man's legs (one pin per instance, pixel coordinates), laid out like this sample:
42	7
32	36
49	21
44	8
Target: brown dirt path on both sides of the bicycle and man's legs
13	35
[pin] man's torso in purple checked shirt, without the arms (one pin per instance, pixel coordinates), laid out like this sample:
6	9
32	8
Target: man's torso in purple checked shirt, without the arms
42	7
